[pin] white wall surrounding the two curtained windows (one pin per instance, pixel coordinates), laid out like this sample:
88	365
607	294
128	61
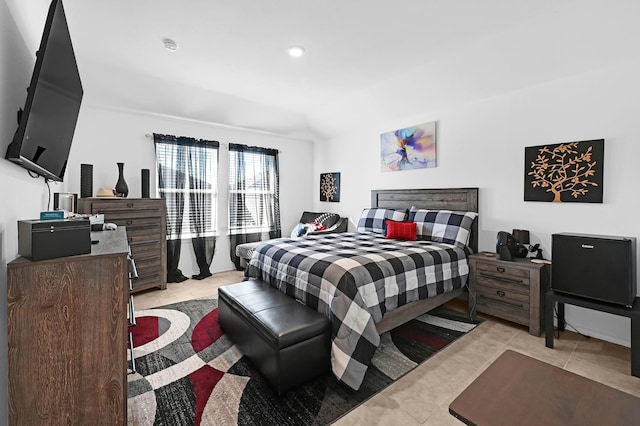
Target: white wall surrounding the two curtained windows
105	137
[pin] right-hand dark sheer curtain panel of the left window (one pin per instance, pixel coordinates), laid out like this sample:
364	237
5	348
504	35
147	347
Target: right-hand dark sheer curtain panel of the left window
200	208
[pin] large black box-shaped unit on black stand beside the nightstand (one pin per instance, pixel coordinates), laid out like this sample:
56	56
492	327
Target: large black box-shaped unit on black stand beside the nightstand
595	266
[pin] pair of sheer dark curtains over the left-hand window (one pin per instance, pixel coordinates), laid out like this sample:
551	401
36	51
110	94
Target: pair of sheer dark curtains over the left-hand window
185	159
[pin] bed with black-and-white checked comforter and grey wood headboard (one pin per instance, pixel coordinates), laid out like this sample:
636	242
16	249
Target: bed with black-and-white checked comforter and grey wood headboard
368	284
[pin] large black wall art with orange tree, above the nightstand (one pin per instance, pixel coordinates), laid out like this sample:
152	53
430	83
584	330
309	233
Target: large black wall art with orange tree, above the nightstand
566	172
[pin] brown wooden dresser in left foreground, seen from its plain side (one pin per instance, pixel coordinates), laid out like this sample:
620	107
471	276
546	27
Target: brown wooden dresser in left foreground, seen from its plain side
67	336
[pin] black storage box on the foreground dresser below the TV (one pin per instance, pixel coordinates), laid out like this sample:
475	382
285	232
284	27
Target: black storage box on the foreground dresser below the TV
48	239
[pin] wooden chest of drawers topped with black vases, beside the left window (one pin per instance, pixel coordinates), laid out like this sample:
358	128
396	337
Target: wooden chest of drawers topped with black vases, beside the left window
145	219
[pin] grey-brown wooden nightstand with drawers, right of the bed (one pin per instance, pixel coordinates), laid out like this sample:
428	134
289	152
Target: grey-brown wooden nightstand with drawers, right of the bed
511	290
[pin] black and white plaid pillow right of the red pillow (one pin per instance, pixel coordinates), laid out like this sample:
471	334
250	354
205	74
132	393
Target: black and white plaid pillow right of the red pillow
443	226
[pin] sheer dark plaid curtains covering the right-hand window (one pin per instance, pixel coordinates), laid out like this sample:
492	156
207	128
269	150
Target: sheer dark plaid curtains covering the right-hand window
254	169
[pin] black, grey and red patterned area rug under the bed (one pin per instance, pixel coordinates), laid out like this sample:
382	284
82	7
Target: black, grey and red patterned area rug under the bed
189	373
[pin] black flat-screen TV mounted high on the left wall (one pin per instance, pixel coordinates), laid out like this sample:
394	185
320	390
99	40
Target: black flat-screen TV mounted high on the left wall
45	131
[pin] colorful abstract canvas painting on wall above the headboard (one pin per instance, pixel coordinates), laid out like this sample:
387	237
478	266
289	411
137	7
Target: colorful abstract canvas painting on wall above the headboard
408	149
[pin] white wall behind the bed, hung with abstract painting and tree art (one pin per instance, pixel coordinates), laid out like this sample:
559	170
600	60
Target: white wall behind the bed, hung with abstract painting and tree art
481	144
